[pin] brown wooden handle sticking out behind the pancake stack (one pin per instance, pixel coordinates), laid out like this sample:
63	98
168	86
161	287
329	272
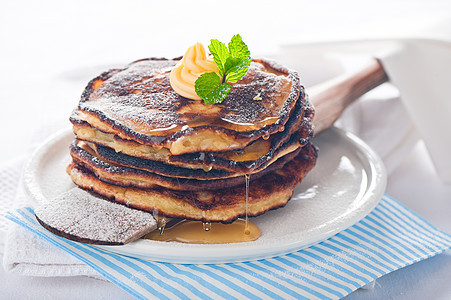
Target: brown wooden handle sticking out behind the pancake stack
332	97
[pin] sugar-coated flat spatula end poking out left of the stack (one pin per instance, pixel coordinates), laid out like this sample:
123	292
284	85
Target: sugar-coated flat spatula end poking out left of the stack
80	215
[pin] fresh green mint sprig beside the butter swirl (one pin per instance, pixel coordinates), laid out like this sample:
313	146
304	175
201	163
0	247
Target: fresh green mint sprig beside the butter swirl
233	63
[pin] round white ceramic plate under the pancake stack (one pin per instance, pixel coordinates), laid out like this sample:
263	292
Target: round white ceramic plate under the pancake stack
346	184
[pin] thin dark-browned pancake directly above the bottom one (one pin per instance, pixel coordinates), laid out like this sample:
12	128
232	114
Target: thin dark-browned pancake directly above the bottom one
109	172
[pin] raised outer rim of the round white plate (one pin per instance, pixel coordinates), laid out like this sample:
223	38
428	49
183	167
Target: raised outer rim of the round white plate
202	253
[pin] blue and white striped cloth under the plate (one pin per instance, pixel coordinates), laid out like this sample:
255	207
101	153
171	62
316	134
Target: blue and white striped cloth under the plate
389	238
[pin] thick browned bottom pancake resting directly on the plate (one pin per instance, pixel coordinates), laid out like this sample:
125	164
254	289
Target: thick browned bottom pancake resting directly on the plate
270	191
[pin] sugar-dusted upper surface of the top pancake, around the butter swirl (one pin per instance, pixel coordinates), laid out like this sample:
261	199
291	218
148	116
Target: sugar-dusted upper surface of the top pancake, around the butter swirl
141	98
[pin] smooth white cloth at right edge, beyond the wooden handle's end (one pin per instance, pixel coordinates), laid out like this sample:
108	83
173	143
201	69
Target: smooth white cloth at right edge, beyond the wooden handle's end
421	69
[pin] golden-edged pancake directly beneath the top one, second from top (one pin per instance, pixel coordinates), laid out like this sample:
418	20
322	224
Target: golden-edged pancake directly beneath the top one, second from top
255	155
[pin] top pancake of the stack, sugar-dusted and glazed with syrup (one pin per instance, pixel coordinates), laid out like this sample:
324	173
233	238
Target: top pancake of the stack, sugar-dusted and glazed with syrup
138	103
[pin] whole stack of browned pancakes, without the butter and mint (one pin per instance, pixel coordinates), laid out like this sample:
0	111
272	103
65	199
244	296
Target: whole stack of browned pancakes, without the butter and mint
141	144
